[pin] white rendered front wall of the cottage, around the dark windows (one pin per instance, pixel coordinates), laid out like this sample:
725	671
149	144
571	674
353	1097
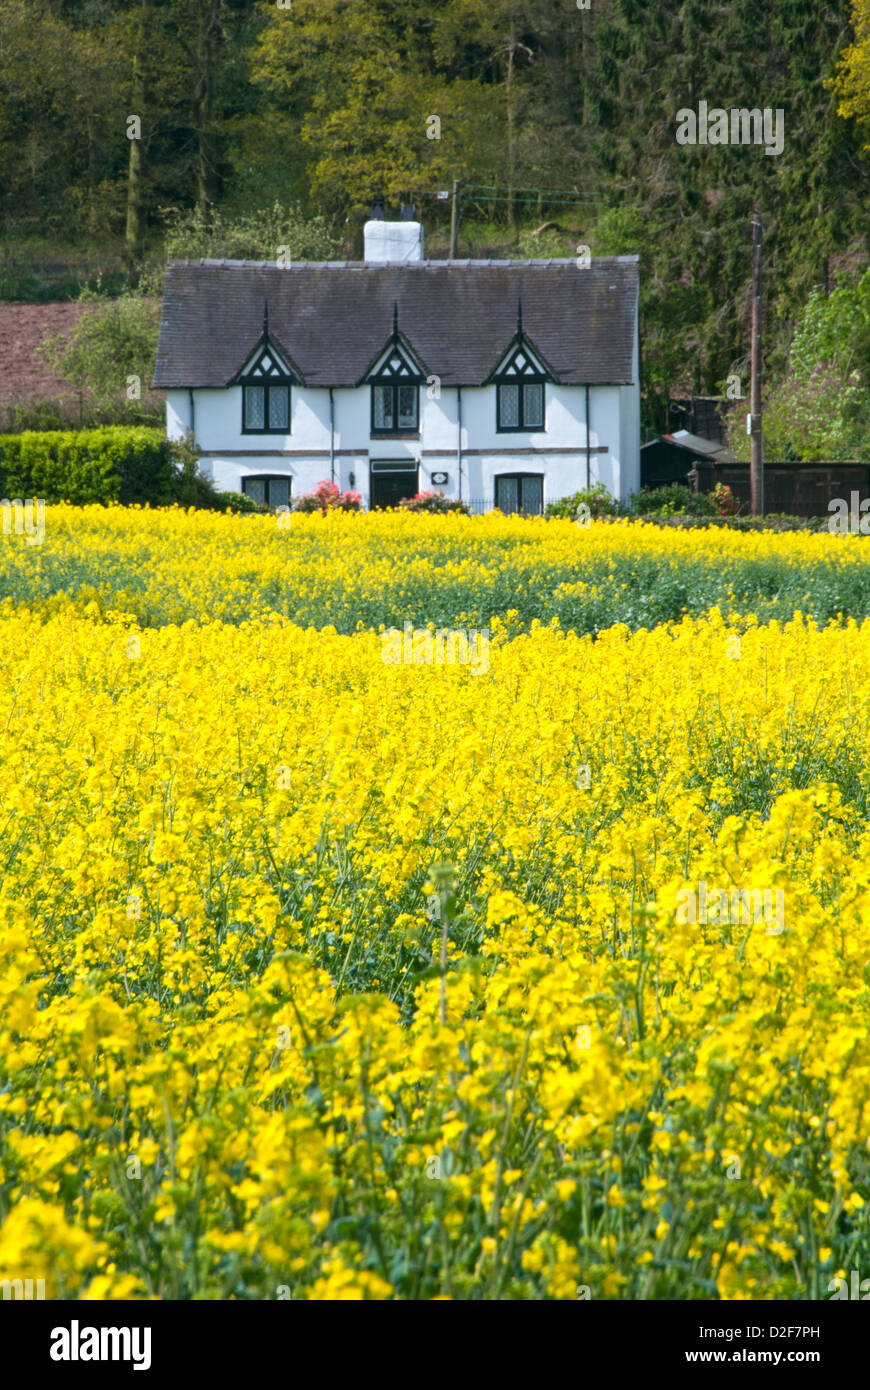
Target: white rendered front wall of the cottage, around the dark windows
304	454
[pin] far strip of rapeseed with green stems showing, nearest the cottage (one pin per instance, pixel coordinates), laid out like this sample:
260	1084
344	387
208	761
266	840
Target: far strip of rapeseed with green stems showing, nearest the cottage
363	571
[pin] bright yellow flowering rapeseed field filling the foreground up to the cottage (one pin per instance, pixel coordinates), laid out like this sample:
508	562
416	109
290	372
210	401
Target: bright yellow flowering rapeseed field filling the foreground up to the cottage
333	976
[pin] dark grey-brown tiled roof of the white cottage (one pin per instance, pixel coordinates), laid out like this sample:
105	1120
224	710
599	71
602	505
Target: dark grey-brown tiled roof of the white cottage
334	318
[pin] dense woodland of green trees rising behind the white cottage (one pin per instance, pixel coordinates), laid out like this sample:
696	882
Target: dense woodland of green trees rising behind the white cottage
265	120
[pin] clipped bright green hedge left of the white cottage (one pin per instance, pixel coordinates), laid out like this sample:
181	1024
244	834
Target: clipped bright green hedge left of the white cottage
116	464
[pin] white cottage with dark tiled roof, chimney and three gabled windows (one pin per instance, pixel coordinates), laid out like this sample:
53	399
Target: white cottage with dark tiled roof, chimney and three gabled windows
504	384
